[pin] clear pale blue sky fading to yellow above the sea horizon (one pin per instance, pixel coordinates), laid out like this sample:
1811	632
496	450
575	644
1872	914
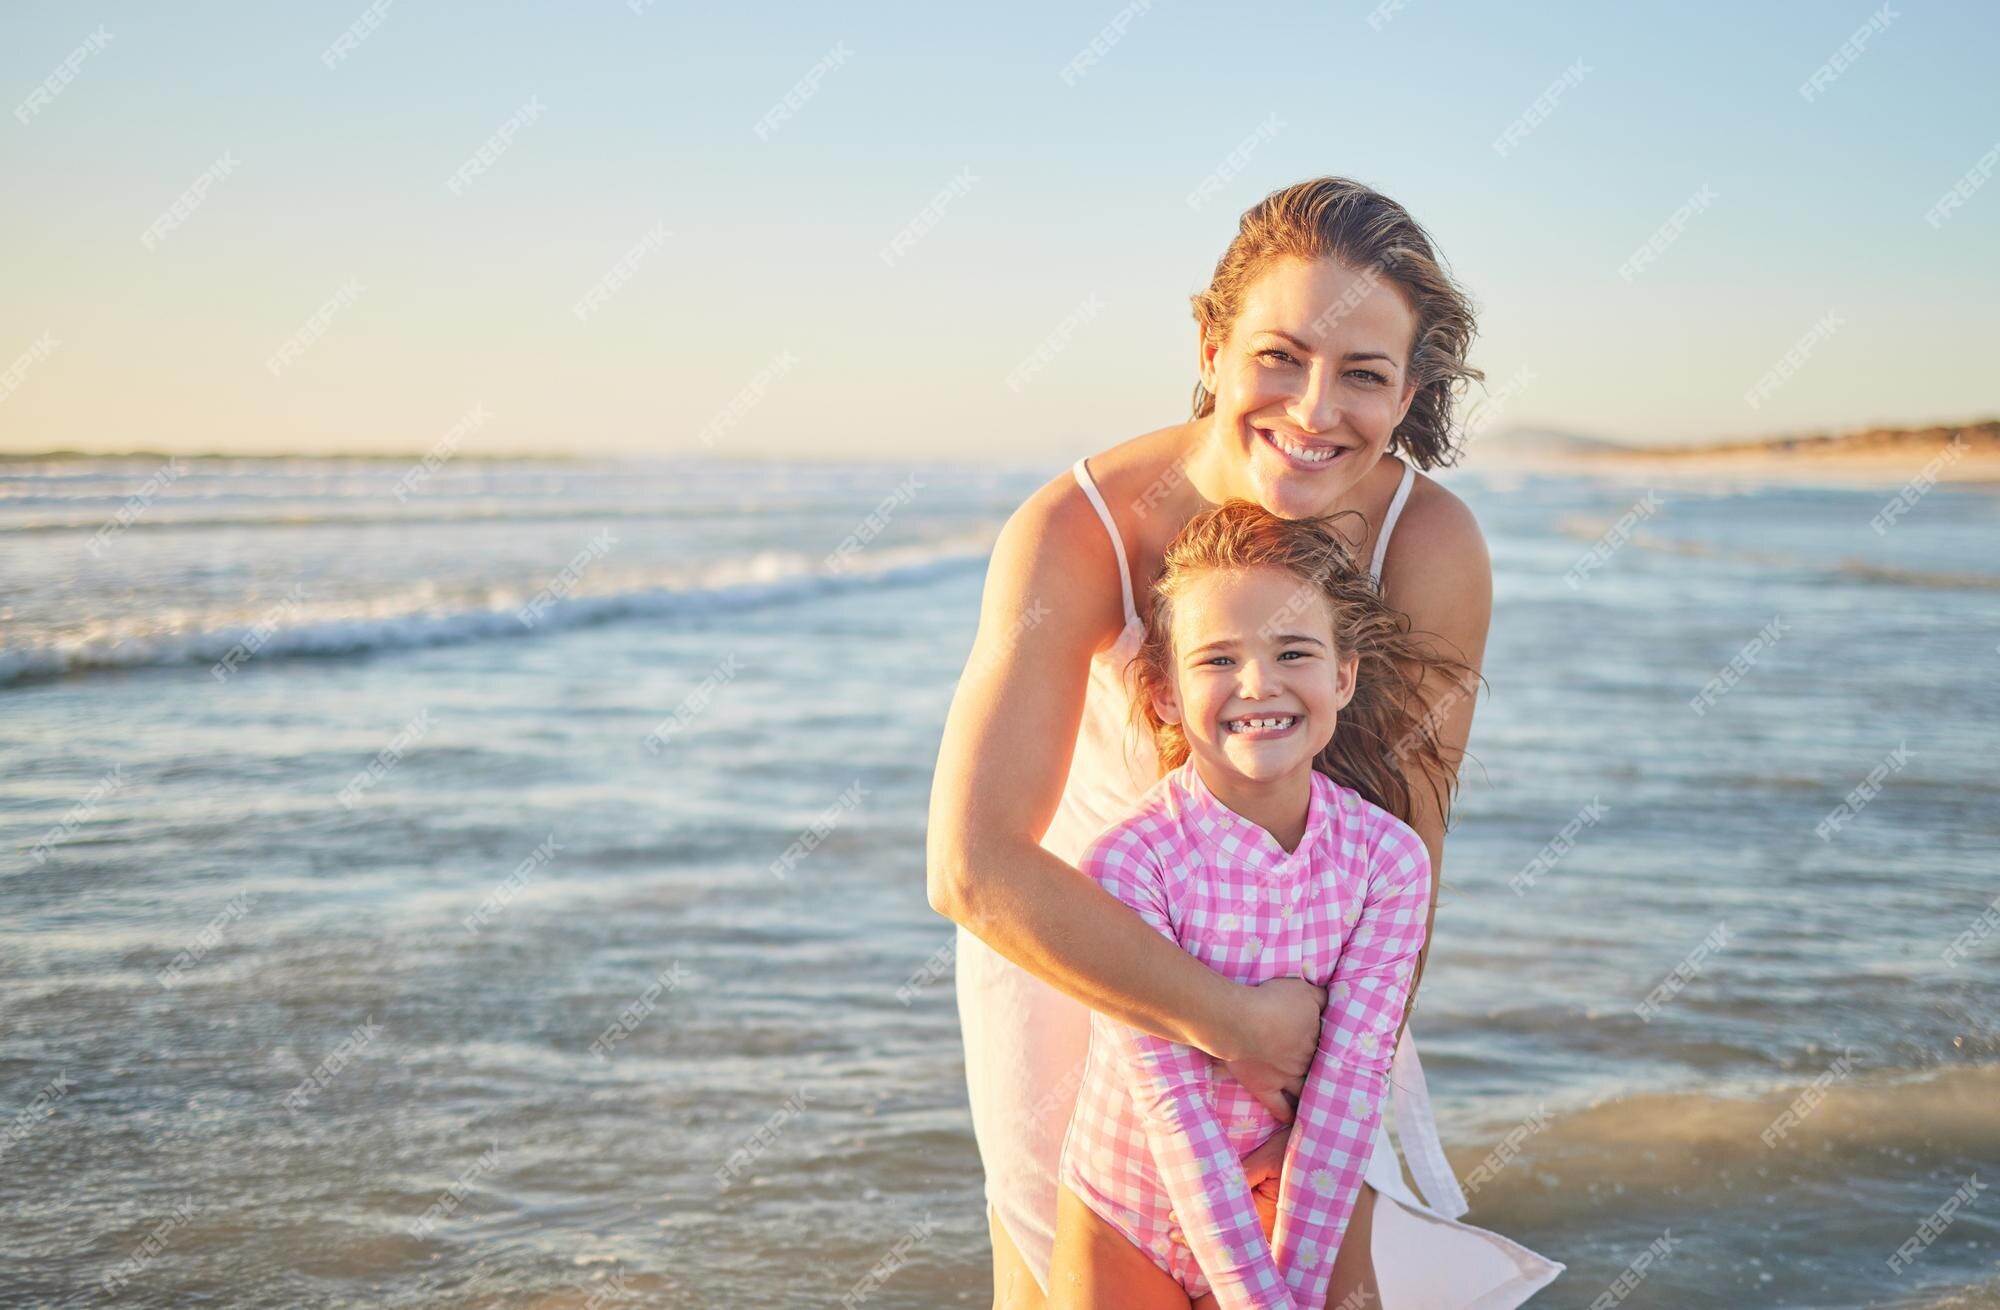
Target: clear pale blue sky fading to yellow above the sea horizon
1081	191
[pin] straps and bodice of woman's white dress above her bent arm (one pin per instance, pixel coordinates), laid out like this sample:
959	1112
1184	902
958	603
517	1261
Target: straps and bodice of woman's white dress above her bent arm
1115	763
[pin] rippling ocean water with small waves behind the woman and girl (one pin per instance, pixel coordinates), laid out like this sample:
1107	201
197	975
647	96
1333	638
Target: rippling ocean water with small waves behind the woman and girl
363	943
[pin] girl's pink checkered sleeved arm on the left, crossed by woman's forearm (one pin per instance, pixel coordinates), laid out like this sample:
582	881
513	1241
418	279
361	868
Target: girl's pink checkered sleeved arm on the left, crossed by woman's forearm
1171	1087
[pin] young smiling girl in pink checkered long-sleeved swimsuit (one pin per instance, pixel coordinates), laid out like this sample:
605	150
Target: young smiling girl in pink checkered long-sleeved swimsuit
1285	699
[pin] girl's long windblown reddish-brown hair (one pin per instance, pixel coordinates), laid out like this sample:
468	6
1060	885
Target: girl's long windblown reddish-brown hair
1387	733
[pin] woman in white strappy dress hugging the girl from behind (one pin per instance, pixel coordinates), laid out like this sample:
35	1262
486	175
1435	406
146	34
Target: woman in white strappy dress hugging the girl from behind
1331	351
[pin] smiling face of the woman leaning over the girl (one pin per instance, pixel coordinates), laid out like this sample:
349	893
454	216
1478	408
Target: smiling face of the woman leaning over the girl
1311	381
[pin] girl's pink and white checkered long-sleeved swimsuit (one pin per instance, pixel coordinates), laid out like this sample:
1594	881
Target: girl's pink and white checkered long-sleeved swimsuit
1161	1125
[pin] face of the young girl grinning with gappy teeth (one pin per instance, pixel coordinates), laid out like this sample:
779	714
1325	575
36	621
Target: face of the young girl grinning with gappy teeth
1255	645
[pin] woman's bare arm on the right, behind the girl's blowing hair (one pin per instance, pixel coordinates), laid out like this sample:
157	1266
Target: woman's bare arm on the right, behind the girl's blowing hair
1441	577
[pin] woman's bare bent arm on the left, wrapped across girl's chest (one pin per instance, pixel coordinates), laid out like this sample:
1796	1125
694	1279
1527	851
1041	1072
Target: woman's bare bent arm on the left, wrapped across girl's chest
1001	769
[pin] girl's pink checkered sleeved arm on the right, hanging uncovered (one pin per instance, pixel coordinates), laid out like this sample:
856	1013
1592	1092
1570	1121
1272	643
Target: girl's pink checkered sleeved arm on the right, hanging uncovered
1341	1107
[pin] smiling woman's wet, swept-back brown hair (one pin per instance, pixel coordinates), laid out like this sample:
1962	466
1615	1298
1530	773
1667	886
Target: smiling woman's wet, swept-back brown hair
1337	219
